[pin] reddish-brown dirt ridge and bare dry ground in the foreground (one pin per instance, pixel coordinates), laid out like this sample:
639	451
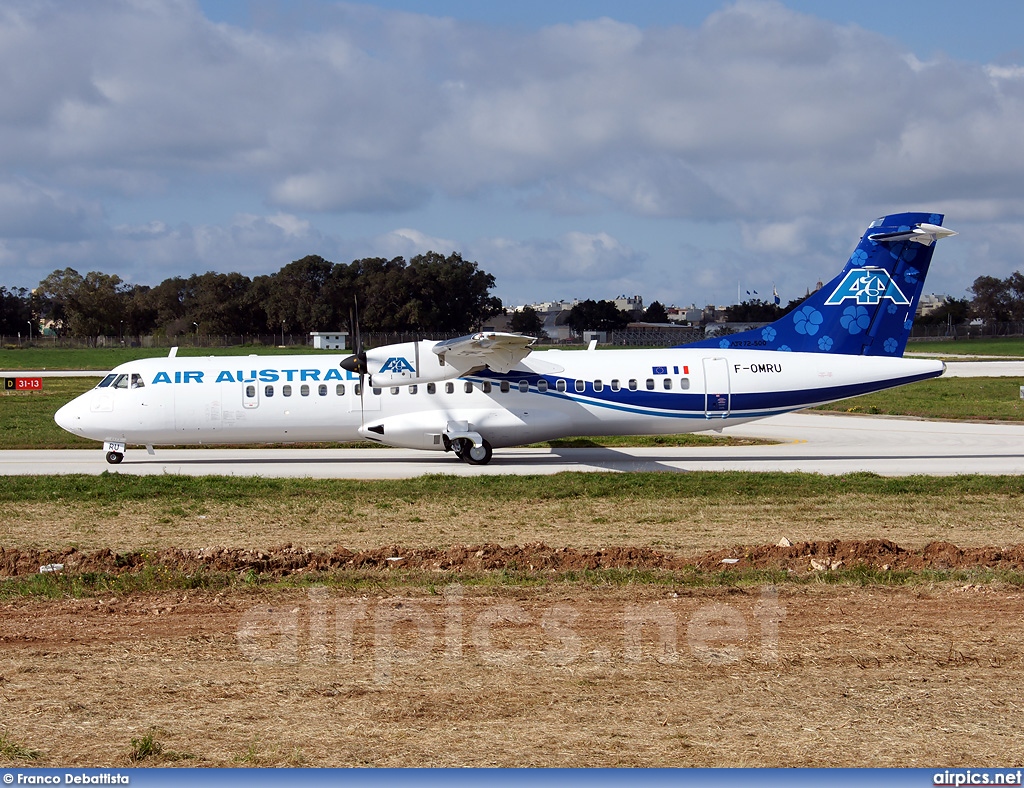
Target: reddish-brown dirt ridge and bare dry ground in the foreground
559	675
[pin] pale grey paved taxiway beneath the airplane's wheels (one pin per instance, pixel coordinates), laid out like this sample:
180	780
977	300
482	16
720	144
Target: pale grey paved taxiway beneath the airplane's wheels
810	443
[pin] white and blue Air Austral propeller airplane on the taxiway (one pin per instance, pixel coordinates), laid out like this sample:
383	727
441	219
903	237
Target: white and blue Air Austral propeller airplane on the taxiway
491	390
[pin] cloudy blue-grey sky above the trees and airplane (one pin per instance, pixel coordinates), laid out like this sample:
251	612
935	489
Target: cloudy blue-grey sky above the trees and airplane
685	152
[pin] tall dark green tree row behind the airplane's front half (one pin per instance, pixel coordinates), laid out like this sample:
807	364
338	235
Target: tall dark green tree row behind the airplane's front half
430	293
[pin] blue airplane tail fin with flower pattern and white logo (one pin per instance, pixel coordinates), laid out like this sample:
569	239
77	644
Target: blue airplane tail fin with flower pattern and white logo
868	310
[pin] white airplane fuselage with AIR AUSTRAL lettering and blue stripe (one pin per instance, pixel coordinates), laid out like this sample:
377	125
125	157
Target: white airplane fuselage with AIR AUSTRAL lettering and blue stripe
550	395
